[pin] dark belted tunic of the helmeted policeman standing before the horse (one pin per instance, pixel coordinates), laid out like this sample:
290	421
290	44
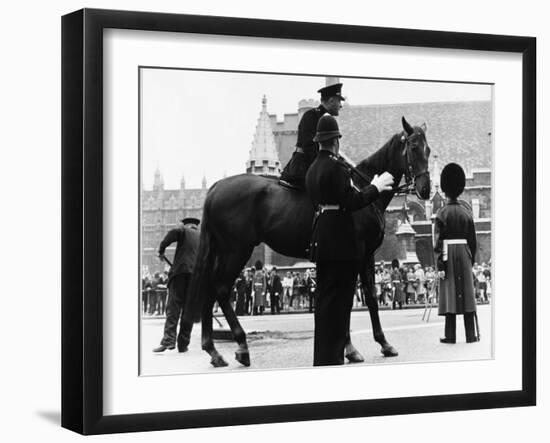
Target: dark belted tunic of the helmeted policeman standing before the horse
328	181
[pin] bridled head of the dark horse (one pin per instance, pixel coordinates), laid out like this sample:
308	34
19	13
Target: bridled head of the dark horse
414	157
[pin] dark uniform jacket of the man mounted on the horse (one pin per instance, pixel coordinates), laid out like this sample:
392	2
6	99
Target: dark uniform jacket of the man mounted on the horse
307	128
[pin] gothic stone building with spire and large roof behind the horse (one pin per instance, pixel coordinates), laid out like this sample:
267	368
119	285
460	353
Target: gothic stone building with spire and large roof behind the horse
457	132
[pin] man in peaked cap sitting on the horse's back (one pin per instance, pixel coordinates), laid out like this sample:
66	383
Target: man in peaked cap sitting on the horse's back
306	147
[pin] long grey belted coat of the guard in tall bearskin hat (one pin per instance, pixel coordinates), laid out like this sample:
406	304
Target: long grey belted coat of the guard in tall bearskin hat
456	294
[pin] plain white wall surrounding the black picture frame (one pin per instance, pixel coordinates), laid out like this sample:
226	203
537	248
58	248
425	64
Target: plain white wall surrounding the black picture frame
30	113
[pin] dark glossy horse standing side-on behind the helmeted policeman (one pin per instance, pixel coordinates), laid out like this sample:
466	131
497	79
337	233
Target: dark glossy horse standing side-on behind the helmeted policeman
244	210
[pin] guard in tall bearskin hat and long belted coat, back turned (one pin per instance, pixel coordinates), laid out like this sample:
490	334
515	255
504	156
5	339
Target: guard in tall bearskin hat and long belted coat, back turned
455	248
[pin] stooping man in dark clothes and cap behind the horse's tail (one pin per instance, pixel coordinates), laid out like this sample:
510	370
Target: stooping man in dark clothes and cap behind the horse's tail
187	238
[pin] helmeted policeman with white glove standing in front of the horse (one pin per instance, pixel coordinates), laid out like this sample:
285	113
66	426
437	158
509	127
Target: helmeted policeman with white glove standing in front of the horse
334	245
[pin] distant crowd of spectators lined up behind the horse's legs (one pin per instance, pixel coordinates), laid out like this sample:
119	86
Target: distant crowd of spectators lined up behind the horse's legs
258	290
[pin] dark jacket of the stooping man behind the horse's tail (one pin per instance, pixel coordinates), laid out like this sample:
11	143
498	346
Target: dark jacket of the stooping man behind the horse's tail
186	250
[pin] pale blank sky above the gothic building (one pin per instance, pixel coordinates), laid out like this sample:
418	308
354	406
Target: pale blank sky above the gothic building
200	123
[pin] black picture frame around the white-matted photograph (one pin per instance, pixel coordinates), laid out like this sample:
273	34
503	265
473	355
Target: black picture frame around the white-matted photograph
82	218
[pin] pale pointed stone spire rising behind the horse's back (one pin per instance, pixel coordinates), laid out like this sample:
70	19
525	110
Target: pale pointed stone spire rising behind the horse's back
263	158
